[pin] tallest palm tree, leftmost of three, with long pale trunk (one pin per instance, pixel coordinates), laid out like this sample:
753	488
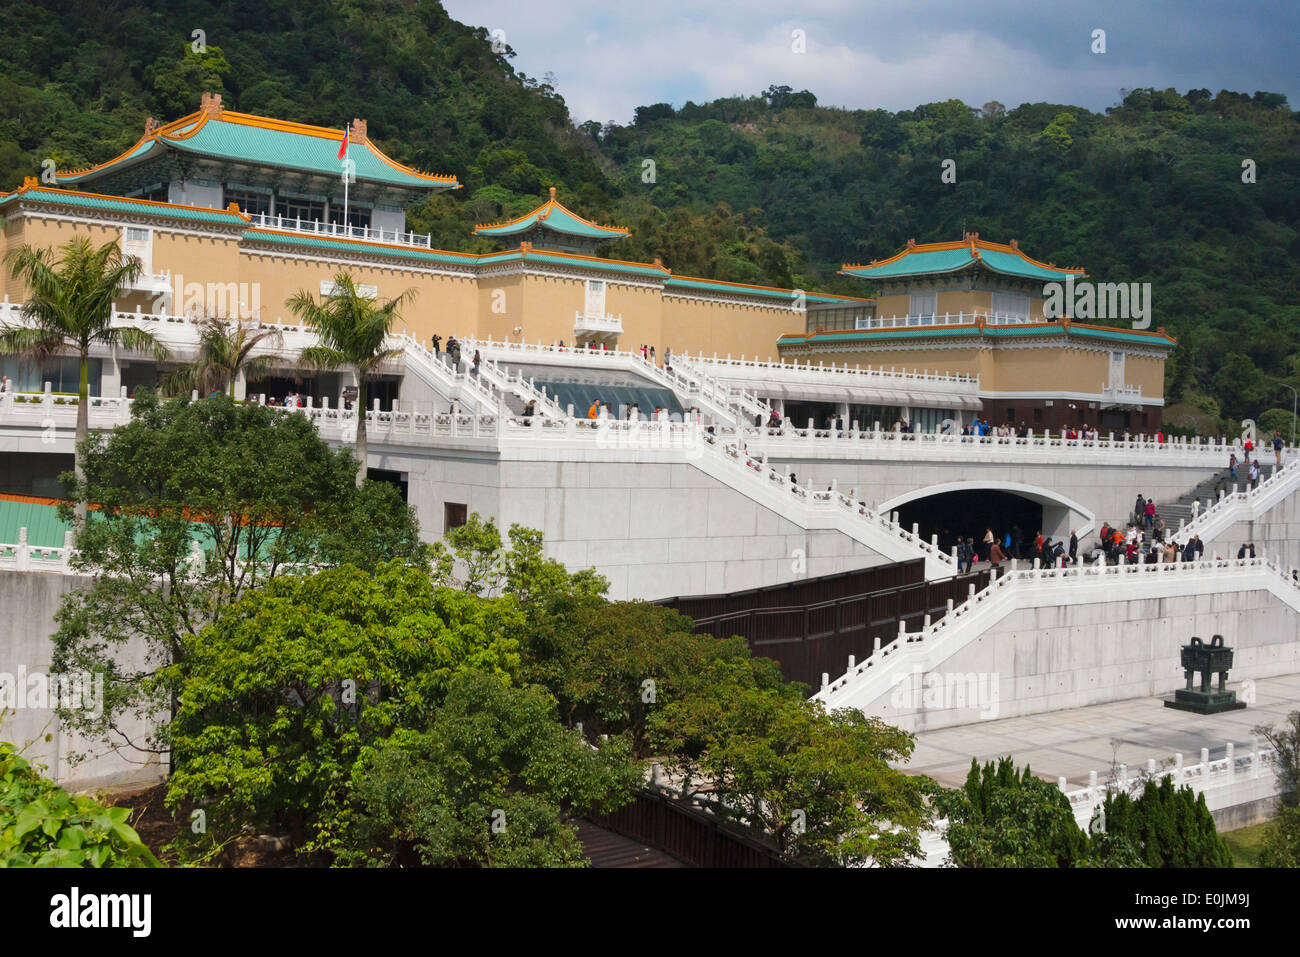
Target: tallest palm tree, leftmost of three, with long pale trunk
70	309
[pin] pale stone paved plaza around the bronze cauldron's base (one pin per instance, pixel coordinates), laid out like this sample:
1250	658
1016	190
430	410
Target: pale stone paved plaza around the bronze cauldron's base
1091	739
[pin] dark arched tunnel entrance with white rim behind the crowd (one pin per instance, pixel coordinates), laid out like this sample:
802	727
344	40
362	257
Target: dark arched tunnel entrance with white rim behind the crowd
968	510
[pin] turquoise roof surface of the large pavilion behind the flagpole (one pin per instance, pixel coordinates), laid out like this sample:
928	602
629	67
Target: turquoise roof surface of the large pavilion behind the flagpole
270	148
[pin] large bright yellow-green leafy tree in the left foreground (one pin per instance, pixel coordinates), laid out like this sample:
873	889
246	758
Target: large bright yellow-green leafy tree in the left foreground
287	688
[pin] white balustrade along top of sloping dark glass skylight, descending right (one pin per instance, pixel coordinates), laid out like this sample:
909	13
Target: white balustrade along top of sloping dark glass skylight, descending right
714	400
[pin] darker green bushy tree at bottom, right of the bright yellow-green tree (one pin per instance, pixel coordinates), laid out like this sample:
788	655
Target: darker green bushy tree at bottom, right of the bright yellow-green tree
491	783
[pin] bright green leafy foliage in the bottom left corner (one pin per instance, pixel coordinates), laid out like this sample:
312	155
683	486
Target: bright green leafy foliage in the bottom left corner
44	826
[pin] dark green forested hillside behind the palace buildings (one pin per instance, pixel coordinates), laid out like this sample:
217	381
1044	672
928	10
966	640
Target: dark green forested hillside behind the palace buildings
769	188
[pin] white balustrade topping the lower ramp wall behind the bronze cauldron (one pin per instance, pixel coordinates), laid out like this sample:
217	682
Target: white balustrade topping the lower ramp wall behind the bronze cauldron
928	651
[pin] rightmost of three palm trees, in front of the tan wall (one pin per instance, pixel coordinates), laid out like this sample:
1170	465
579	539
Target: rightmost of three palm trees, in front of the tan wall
354	335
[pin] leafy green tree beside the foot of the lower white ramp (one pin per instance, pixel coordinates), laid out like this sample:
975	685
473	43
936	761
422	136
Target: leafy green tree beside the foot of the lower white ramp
822	787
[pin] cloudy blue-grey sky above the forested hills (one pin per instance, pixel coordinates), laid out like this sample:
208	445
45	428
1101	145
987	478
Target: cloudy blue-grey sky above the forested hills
610	58
